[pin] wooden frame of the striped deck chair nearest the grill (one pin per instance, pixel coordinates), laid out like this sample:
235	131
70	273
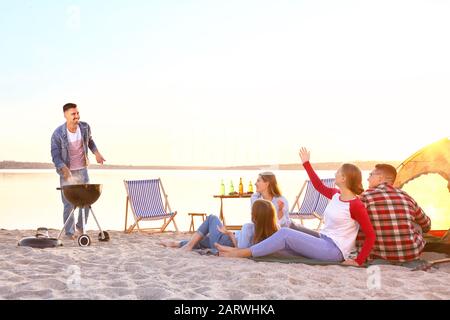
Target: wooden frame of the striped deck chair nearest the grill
167	220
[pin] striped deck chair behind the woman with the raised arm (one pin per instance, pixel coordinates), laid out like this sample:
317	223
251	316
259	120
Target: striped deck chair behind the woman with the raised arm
313	205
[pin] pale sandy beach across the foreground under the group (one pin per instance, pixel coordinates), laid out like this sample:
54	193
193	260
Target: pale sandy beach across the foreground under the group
136	267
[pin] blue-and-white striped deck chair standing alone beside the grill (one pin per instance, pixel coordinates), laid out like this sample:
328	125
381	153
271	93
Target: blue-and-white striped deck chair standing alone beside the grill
146	202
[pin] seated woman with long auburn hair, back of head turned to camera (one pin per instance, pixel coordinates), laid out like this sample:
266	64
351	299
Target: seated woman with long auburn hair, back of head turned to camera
212	231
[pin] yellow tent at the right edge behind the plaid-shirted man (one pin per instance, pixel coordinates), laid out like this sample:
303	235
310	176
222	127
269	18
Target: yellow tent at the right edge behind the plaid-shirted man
434	158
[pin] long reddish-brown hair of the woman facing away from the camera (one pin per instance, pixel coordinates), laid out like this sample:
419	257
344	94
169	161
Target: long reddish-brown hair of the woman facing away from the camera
265	219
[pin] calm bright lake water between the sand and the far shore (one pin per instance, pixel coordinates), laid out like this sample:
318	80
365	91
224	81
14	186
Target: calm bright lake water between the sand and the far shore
29	198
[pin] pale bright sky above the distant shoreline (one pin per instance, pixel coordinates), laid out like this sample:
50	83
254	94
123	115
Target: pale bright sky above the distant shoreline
226	82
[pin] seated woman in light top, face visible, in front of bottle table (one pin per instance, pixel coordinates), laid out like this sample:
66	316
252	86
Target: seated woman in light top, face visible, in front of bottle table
267	189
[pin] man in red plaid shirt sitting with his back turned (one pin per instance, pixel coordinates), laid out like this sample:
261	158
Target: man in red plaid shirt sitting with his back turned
396	218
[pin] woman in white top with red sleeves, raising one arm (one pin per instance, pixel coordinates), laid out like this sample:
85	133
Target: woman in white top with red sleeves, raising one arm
343	216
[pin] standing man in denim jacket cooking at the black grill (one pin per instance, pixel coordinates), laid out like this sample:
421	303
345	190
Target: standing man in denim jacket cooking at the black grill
69	148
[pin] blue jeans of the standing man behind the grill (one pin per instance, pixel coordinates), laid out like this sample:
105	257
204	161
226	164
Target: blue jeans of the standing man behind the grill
78	177
